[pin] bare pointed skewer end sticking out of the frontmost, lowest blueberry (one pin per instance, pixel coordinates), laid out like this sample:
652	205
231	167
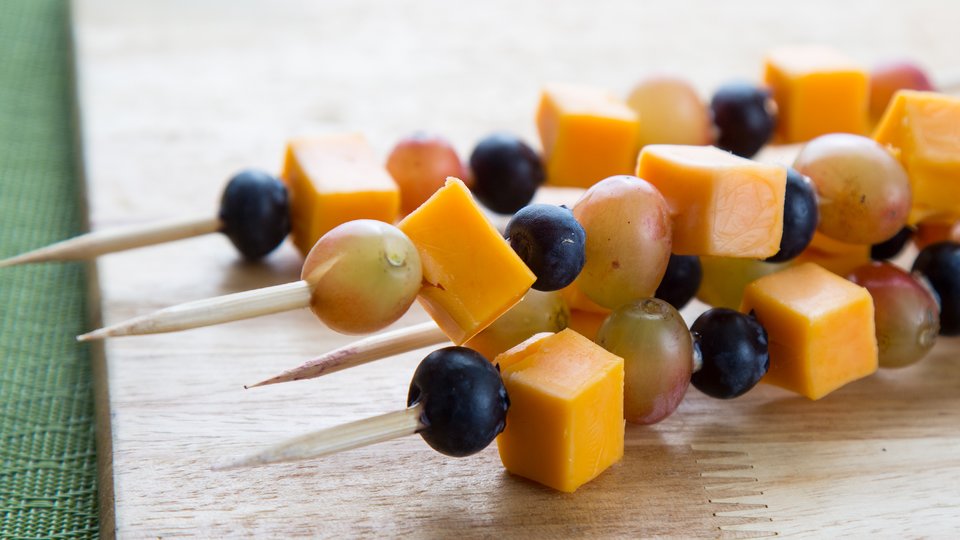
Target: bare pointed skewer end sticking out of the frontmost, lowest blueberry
337	439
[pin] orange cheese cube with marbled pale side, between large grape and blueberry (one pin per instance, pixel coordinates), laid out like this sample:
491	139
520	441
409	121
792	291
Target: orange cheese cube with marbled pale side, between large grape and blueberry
722	205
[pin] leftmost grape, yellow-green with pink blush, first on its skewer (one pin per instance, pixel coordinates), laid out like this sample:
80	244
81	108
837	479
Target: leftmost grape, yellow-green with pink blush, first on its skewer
364	275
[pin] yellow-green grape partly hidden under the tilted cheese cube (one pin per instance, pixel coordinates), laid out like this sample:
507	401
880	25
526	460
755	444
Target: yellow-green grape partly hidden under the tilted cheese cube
537	312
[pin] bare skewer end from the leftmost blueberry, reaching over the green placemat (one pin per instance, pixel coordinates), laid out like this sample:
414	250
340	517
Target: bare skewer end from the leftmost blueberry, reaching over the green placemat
90	245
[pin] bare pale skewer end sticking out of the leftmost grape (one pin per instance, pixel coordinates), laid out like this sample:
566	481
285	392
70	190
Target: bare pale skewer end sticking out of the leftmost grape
210	311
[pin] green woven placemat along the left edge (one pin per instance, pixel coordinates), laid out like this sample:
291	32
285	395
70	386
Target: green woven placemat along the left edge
47	459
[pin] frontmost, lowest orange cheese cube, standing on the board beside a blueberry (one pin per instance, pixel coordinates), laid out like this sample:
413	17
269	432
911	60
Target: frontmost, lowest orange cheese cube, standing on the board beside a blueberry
566	410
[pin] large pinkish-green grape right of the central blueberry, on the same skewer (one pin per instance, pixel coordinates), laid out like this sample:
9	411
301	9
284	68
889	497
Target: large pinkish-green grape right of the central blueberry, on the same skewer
629	236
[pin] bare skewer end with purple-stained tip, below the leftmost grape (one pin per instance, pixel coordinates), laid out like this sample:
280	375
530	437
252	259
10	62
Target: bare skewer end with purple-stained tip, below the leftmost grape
363	351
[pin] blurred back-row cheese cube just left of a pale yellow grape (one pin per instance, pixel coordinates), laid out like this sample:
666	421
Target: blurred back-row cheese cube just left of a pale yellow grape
587	135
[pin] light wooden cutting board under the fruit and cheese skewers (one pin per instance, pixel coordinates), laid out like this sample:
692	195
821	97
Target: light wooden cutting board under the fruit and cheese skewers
176	96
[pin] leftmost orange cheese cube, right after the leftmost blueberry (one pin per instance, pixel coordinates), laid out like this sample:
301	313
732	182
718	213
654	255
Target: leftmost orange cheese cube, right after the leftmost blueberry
333	179
